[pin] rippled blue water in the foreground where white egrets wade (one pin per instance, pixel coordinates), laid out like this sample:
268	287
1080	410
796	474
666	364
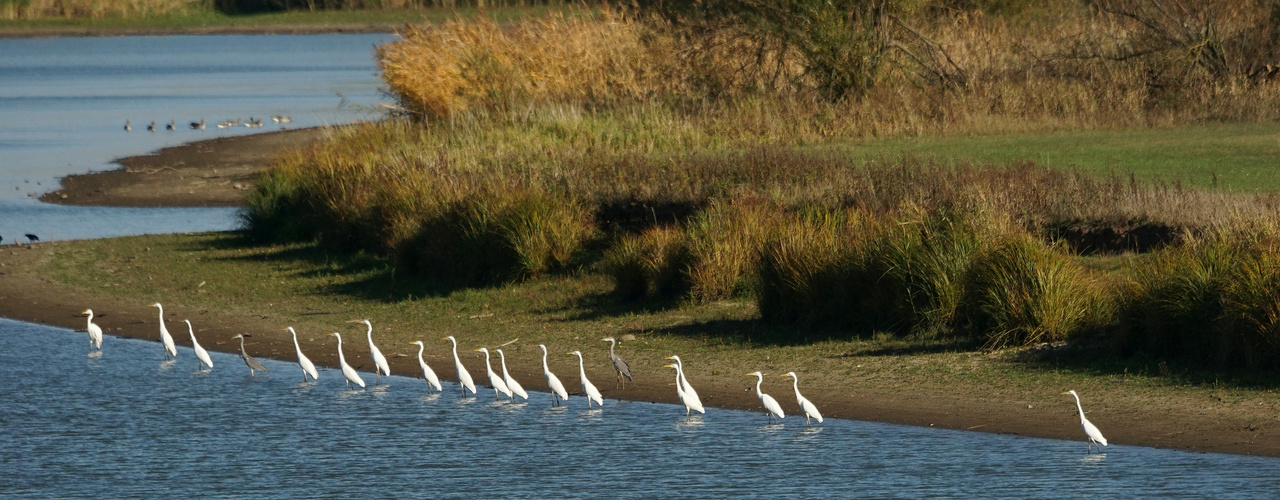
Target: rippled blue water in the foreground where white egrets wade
126	424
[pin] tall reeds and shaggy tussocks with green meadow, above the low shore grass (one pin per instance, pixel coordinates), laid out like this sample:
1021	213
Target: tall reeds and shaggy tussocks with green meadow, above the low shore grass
602	145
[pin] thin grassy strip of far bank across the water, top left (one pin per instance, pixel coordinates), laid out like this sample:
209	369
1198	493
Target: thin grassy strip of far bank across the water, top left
213	20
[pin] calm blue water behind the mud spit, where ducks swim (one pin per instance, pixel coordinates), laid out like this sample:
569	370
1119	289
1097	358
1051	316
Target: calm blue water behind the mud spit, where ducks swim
65	102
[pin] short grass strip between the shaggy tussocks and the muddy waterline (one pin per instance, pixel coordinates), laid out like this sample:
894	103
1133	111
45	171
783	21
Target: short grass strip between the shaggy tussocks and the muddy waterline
316	291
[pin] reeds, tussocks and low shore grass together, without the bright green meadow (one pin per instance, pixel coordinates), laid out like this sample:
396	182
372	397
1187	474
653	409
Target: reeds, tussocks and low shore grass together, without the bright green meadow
687	177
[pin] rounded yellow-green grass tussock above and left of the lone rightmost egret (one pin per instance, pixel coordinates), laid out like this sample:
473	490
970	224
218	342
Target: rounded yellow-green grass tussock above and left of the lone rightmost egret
1023	292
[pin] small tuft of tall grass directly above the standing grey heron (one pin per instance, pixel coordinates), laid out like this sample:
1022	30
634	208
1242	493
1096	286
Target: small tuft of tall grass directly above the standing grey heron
651	264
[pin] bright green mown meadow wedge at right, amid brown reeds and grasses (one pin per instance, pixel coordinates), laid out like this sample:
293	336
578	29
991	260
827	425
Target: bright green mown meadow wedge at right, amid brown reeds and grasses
1244	158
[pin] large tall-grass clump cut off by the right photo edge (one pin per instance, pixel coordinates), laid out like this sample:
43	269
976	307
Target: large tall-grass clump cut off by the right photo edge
1212	300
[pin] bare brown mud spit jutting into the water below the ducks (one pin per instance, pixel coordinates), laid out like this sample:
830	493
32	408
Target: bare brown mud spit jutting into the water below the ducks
204	173
